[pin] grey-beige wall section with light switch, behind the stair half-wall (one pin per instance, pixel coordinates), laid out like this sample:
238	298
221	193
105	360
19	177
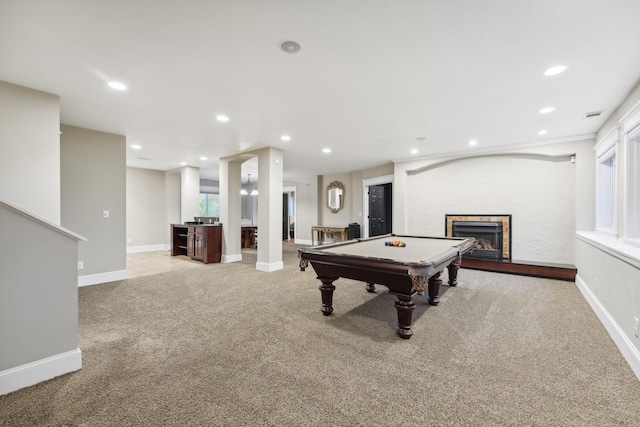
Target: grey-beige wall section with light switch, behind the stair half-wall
93	180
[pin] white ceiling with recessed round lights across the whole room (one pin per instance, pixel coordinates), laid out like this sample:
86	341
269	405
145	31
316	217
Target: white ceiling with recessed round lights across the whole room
374	79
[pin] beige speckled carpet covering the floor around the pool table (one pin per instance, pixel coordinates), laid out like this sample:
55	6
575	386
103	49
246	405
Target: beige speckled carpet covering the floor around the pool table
228	345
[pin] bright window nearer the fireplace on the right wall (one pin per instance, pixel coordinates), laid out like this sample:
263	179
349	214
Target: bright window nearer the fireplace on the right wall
606	151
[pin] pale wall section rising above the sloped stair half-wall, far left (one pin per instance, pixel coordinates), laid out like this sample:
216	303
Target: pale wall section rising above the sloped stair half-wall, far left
30	147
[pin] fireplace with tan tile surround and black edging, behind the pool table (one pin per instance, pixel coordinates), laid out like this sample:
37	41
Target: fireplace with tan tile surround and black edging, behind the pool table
492	234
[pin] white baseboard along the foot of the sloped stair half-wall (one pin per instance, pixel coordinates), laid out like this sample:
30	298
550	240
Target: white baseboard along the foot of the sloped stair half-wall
41	370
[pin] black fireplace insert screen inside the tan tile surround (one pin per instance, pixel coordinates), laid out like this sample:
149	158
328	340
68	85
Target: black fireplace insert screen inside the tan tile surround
488	238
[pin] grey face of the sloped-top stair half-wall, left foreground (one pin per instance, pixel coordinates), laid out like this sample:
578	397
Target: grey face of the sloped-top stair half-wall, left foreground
38	301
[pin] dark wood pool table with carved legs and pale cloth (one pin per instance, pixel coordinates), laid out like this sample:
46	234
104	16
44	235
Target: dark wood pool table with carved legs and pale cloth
405	271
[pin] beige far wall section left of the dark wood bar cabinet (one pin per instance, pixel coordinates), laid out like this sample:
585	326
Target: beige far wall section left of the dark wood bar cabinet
146	214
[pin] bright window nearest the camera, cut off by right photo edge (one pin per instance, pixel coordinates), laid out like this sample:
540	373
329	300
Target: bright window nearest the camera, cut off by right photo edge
630	131
